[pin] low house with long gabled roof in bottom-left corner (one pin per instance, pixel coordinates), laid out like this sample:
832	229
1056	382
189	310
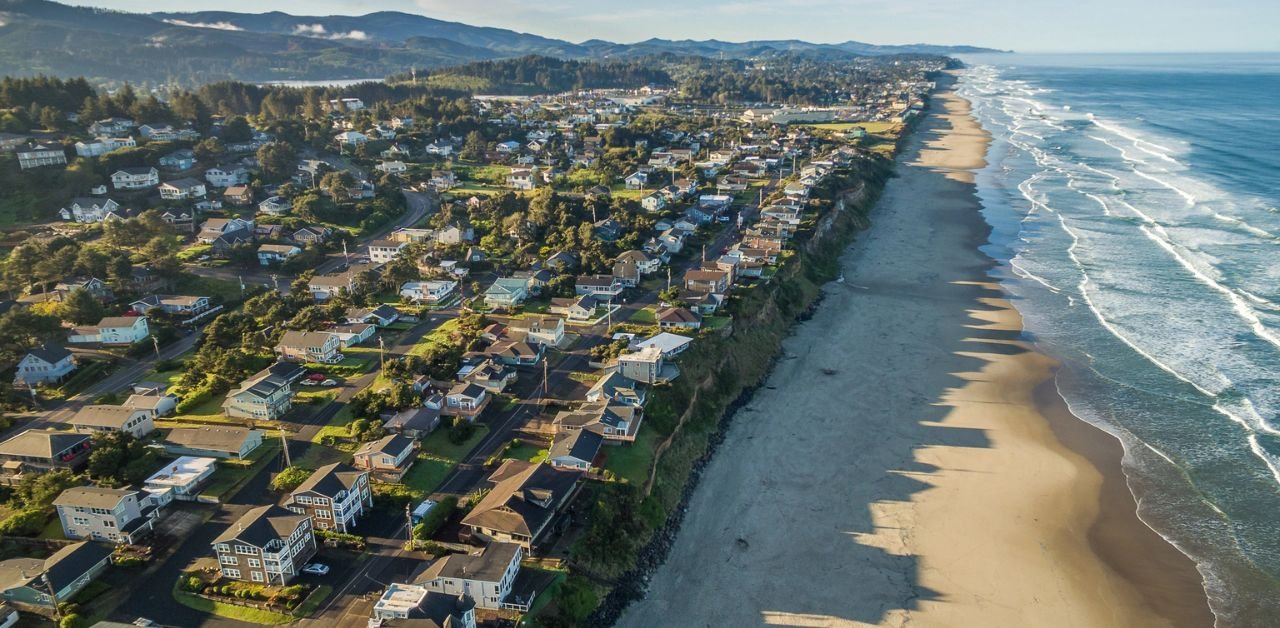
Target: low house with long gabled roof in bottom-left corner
42	585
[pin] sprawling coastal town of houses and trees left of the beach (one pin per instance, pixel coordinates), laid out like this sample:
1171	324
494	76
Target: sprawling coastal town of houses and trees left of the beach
383	354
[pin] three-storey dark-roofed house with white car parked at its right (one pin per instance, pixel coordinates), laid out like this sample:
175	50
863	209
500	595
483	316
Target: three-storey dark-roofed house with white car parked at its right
268	546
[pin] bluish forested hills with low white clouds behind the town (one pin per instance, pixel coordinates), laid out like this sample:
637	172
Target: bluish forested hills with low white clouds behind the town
45	38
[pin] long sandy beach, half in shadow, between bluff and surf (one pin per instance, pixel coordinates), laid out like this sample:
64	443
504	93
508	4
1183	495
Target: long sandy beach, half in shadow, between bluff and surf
908	461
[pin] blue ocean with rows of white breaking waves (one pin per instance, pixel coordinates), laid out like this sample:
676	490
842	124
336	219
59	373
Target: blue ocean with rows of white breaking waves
1136	204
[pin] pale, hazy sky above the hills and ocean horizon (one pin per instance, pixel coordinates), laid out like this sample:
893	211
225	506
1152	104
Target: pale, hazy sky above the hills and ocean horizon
1027	26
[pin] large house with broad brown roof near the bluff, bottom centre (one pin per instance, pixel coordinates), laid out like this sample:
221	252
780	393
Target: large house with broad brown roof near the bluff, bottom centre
523	505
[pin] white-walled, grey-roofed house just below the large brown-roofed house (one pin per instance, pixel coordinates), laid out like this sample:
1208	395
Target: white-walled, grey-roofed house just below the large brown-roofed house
486	576
